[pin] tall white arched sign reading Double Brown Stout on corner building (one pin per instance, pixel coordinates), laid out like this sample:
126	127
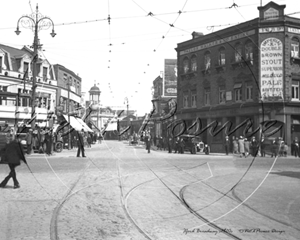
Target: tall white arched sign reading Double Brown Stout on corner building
271	74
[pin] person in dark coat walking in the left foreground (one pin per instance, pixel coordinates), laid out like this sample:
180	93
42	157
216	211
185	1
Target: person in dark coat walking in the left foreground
12	154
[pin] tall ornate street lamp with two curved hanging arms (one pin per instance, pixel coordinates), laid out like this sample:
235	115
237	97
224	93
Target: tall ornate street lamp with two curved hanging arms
36	22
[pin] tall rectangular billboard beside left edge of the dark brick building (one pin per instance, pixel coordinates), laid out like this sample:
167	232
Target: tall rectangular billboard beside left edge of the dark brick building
170	78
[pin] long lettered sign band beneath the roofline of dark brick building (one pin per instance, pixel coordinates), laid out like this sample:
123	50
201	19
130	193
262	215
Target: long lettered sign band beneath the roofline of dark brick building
217	42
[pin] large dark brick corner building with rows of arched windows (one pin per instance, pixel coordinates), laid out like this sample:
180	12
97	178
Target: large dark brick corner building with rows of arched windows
247	71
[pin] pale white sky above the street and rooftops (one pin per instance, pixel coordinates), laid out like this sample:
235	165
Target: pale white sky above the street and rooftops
132	65
